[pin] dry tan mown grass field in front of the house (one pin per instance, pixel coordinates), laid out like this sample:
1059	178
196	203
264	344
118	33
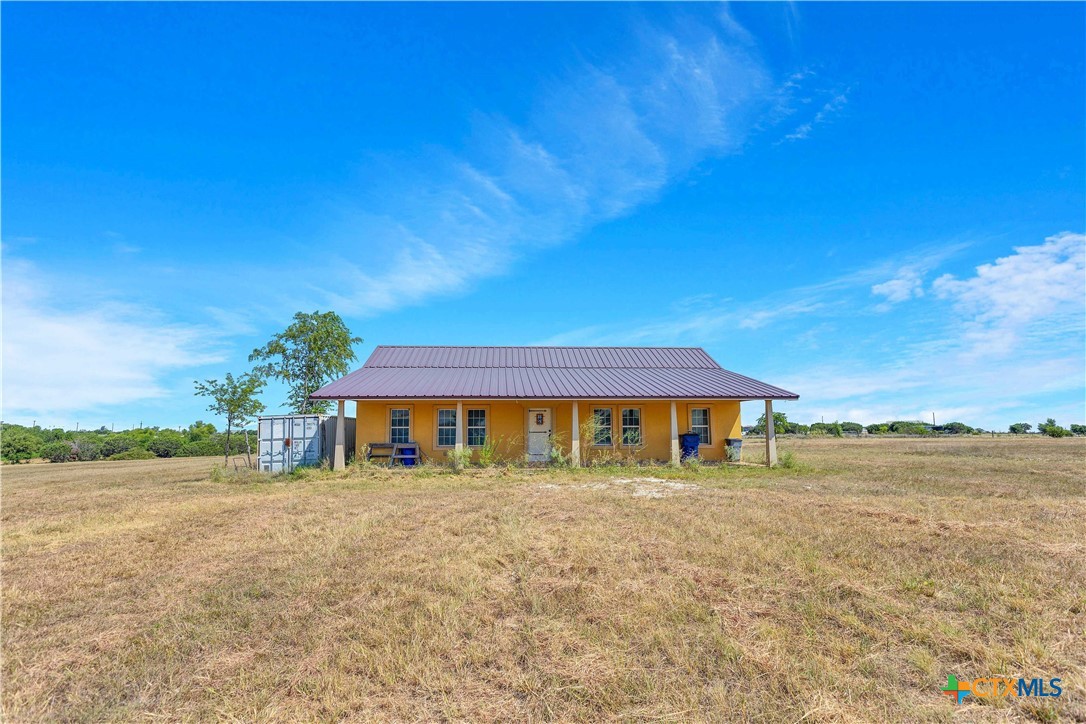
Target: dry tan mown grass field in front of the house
847	588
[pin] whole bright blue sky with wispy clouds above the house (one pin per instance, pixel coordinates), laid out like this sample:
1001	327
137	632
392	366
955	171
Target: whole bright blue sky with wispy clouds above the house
878	207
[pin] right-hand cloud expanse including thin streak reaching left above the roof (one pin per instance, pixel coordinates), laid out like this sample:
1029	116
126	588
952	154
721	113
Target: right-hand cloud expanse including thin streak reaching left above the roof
1004	342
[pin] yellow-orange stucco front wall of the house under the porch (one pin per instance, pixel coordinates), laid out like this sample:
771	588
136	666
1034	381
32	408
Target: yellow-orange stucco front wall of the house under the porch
508	423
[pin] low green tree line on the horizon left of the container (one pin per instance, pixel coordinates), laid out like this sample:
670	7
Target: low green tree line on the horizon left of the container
19	443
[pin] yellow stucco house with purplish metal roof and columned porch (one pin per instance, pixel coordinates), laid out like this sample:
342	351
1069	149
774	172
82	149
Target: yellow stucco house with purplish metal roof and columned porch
525	402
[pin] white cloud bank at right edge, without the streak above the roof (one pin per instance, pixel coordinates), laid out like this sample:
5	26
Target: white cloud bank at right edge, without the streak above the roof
1013	341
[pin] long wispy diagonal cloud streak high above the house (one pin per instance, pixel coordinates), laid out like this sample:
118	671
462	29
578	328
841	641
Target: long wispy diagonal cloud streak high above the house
598	143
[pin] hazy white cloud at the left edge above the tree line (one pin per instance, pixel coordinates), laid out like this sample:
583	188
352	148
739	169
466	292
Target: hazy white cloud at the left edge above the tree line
58	361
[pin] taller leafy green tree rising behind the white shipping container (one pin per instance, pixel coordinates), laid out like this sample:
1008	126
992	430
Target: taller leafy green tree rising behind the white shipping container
314	350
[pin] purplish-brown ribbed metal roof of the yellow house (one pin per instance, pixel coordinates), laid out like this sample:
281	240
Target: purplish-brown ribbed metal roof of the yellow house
444	373
